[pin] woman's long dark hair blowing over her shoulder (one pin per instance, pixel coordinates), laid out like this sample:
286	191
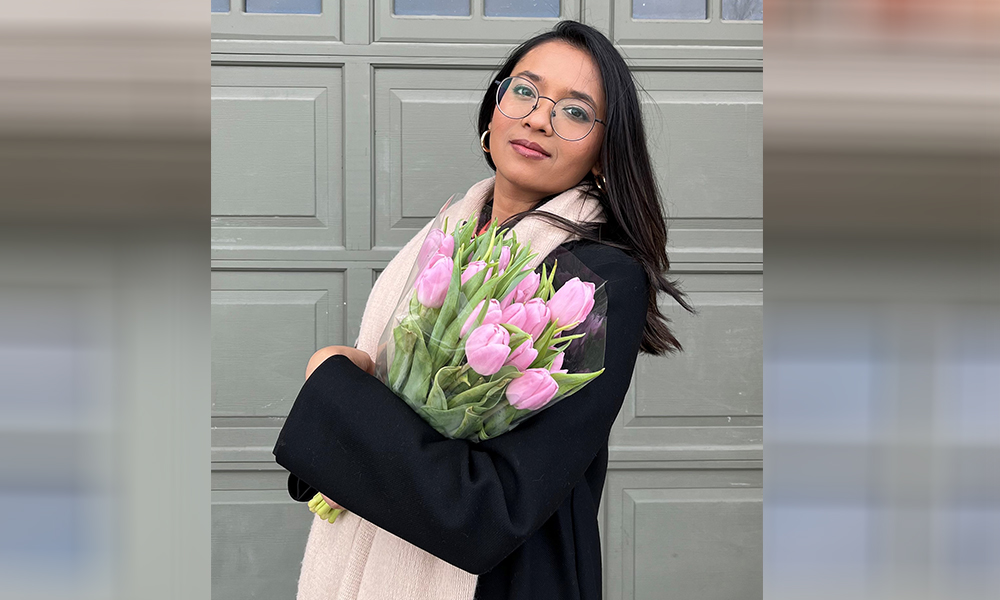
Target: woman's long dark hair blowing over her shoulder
631	198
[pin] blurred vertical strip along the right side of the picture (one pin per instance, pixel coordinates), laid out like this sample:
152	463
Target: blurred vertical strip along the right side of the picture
882	328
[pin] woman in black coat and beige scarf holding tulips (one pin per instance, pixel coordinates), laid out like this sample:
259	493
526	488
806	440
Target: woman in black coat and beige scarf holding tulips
514	517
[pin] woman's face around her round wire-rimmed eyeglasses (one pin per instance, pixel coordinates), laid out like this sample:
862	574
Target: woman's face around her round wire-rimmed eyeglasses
558	70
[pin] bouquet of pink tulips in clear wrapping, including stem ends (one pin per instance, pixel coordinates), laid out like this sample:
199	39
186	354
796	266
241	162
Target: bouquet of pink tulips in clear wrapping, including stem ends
479	342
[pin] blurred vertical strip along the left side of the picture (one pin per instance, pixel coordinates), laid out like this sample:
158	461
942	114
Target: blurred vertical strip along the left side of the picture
104	328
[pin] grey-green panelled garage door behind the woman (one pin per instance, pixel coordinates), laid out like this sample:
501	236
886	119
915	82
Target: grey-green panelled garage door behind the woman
319	175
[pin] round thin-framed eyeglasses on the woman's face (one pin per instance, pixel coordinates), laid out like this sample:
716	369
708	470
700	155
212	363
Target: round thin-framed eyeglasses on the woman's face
572	119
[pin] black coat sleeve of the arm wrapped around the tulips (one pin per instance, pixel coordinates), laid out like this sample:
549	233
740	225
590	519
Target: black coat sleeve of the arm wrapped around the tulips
470	504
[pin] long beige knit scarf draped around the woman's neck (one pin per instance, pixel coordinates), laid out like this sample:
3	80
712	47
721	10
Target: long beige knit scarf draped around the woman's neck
353	559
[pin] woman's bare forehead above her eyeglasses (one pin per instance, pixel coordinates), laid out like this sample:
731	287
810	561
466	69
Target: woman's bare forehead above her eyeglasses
558	67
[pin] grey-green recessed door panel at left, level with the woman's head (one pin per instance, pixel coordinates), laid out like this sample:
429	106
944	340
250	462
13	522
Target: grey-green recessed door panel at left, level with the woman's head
277	171
